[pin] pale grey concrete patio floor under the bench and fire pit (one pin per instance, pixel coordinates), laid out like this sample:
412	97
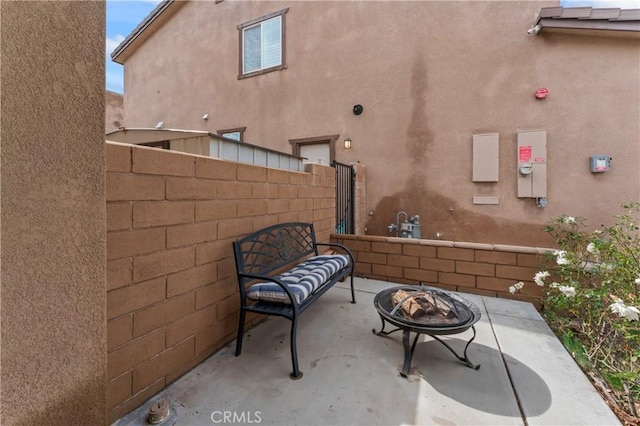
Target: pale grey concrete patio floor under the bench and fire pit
351	376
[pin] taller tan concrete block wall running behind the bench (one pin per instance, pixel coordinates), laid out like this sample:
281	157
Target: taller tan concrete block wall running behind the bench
172	297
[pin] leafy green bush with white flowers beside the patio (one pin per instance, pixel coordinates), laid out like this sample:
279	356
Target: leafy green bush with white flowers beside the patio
592	298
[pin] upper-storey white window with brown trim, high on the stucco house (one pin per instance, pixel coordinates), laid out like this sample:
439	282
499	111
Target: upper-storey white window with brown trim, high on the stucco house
262	45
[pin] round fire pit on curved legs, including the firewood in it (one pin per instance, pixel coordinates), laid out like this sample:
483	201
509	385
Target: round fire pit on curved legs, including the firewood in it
426	310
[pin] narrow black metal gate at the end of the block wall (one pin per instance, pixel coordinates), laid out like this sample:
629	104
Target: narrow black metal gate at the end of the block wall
345	198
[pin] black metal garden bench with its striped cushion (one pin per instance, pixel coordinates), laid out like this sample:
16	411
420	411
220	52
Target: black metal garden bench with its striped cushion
281	272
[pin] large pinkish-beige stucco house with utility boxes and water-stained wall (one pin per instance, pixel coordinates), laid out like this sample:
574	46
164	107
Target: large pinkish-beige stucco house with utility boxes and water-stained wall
487	119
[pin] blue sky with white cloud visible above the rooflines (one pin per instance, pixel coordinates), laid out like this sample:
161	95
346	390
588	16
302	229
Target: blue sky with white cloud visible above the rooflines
124	15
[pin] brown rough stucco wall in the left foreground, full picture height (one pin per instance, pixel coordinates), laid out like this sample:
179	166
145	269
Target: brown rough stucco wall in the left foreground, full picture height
53	218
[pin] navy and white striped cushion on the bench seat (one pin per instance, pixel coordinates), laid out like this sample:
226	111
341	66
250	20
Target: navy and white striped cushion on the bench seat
302	280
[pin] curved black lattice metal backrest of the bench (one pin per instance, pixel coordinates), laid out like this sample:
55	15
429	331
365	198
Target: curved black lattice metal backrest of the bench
272	248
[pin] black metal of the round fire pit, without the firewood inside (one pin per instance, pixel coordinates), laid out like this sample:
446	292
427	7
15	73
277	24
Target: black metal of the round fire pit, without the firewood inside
466	314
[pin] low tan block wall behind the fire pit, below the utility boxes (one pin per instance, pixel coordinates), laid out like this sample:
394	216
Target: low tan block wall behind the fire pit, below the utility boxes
459	266
